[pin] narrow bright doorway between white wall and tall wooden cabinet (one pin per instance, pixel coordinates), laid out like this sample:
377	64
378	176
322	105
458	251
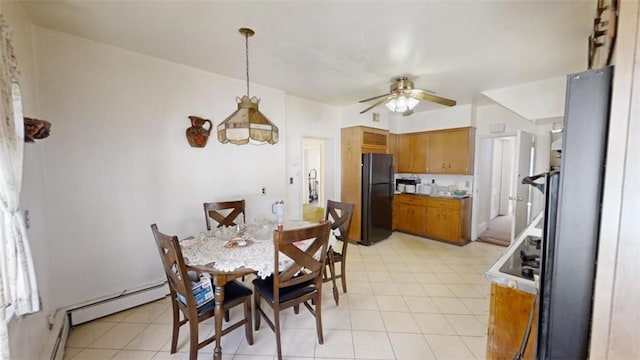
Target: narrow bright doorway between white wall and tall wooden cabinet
313	179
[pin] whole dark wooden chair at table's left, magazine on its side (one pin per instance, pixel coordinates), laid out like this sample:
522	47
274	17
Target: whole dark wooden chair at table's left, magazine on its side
179	277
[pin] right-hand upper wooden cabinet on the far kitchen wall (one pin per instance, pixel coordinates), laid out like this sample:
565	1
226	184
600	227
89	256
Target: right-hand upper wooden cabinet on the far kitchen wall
450	151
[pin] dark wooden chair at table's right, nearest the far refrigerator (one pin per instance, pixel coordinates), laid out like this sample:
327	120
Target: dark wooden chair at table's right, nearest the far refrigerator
339	214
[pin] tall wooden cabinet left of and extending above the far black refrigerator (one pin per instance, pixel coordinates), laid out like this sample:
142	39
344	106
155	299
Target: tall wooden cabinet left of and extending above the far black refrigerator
356	141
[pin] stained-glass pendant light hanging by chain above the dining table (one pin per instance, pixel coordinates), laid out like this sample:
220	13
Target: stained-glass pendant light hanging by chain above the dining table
247	124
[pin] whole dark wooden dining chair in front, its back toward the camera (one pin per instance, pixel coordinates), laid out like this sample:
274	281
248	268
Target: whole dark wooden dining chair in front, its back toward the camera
300	282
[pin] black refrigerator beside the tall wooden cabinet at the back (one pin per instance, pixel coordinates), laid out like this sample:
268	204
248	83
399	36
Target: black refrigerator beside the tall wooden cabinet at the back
377	196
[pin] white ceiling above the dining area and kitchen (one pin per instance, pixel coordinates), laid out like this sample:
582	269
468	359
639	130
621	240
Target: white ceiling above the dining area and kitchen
339	52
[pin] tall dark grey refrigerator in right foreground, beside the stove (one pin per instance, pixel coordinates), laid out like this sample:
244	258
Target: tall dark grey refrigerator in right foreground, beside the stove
573	198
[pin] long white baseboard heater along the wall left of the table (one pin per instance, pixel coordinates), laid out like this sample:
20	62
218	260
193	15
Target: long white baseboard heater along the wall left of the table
113	304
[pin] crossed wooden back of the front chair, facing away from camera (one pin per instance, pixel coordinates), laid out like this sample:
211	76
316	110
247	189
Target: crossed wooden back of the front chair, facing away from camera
307	263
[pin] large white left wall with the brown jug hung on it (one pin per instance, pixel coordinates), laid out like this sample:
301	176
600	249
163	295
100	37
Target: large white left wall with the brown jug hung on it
118	160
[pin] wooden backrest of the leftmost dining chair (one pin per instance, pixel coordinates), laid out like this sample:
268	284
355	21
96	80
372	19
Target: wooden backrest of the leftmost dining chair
174	266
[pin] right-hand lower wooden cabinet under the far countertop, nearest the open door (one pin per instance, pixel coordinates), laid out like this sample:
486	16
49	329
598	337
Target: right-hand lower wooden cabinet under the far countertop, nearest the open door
449	220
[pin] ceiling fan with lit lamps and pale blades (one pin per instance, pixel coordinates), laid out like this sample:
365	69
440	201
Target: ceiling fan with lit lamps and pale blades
402	97
